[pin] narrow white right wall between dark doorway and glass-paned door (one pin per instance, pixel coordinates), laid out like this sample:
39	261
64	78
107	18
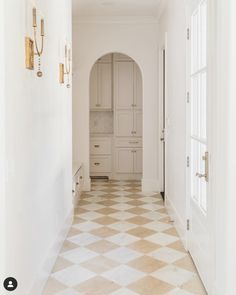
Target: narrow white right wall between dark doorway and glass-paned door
173	22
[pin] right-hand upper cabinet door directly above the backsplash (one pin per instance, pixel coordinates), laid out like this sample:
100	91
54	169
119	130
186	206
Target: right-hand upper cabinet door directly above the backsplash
105	85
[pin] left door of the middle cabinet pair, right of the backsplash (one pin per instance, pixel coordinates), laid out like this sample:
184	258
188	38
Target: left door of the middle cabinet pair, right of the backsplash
124	123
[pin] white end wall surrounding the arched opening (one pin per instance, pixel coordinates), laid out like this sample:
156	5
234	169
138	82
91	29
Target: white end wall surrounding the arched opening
140	42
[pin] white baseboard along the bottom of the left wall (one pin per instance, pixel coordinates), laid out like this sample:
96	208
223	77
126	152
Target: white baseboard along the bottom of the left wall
49	262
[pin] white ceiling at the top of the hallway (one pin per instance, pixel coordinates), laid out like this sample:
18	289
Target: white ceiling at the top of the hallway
116	8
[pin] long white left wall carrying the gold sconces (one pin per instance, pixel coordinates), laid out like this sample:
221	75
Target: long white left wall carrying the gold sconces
38	146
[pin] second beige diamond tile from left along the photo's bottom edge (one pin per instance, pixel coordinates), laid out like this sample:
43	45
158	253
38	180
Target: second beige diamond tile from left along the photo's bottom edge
97	286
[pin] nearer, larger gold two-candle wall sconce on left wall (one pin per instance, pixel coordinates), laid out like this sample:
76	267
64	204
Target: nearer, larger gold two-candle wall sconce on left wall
32	48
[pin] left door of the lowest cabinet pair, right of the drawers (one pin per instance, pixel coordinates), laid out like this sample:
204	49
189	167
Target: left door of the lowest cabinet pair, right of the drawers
124	160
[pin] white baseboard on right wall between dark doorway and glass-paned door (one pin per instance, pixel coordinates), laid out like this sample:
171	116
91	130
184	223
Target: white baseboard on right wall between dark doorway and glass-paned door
179	223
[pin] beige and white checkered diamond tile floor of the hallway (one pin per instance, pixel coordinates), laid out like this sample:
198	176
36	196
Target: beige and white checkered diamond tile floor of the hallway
122	243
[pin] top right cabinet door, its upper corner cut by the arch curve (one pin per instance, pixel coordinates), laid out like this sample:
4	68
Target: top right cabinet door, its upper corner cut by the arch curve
138	88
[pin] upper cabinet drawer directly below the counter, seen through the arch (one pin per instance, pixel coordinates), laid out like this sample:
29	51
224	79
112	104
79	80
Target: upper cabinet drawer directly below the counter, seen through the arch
100	146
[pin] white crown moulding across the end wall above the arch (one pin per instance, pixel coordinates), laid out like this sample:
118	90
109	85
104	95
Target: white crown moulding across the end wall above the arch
114	20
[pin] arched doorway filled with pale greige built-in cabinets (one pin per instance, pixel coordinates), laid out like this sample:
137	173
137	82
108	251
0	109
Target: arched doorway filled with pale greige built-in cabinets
116	120
